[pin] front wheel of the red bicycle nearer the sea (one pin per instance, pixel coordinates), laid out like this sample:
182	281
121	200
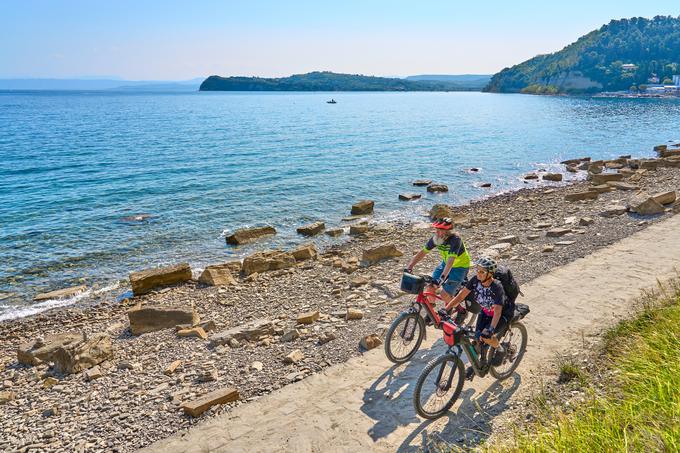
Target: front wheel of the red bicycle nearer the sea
404	337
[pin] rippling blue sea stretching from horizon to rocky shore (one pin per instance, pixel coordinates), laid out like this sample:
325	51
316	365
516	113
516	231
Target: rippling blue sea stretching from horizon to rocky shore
72	165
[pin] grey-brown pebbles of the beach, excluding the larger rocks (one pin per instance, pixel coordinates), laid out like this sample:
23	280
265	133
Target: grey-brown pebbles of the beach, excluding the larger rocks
143	404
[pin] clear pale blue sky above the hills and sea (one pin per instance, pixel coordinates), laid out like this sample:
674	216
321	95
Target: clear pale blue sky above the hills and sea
173	40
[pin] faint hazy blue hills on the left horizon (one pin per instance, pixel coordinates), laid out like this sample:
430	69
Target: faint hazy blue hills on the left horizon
98	84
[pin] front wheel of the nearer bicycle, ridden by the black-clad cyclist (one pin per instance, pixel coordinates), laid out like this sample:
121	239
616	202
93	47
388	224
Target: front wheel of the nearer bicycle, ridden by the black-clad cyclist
439	386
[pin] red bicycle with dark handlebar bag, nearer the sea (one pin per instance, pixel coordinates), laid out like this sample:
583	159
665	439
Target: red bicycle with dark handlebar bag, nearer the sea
406	334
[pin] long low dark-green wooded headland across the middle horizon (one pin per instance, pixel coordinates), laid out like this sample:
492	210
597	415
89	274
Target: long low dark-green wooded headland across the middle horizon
325	81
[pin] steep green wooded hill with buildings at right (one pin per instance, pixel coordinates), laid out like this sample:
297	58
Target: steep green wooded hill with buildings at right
615	57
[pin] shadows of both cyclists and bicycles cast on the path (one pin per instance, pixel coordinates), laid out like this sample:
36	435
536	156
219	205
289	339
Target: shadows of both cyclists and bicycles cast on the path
389	401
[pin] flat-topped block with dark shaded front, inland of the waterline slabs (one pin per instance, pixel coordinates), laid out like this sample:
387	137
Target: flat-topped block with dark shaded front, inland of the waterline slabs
151	318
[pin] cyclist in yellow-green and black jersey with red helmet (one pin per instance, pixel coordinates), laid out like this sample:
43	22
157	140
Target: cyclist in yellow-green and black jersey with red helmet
455	259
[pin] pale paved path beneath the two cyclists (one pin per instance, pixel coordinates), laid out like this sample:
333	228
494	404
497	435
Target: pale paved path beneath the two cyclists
366	404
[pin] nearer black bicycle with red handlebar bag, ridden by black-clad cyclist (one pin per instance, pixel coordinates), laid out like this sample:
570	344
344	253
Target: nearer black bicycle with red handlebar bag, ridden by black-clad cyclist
440	383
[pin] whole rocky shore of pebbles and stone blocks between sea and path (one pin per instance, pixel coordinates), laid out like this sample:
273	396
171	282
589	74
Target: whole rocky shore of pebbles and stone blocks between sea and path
303	318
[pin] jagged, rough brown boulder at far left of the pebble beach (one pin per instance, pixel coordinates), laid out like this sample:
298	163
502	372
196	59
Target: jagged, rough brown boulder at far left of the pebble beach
75	357
